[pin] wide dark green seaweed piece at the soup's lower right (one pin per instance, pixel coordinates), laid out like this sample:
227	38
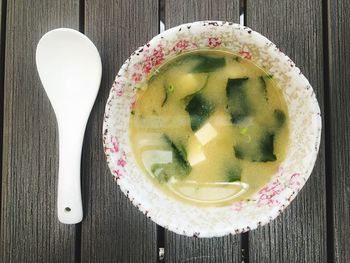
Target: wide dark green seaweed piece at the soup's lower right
262	151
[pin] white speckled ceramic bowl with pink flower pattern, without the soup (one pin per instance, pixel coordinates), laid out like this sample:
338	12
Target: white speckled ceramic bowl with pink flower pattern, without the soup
269	201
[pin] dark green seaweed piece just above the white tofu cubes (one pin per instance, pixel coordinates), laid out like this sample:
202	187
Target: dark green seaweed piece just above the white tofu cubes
199	109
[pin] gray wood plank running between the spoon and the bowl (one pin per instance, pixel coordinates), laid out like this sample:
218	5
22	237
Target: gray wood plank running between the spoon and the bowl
113	229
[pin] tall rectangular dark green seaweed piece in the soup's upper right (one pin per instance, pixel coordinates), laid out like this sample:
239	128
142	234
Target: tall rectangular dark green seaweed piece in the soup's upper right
238	104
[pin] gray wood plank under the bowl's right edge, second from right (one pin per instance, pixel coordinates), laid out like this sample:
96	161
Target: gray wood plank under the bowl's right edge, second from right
299	234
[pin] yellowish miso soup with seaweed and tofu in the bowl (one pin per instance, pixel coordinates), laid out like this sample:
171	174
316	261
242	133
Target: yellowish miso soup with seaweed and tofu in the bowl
209	127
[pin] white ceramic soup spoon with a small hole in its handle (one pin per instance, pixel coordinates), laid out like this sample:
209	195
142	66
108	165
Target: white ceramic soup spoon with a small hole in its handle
70	69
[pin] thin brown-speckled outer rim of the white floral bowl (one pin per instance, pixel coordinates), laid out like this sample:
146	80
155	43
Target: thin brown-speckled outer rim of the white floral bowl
134	198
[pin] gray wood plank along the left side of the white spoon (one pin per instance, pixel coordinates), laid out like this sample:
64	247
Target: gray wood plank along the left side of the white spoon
30	231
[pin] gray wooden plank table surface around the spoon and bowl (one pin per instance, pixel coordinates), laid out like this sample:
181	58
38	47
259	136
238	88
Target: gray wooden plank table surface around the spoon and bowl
314	228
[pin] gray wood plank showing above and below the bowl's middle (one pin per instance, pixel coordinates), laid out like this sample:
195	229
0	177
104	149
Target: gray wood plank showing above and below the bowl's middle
179	248
